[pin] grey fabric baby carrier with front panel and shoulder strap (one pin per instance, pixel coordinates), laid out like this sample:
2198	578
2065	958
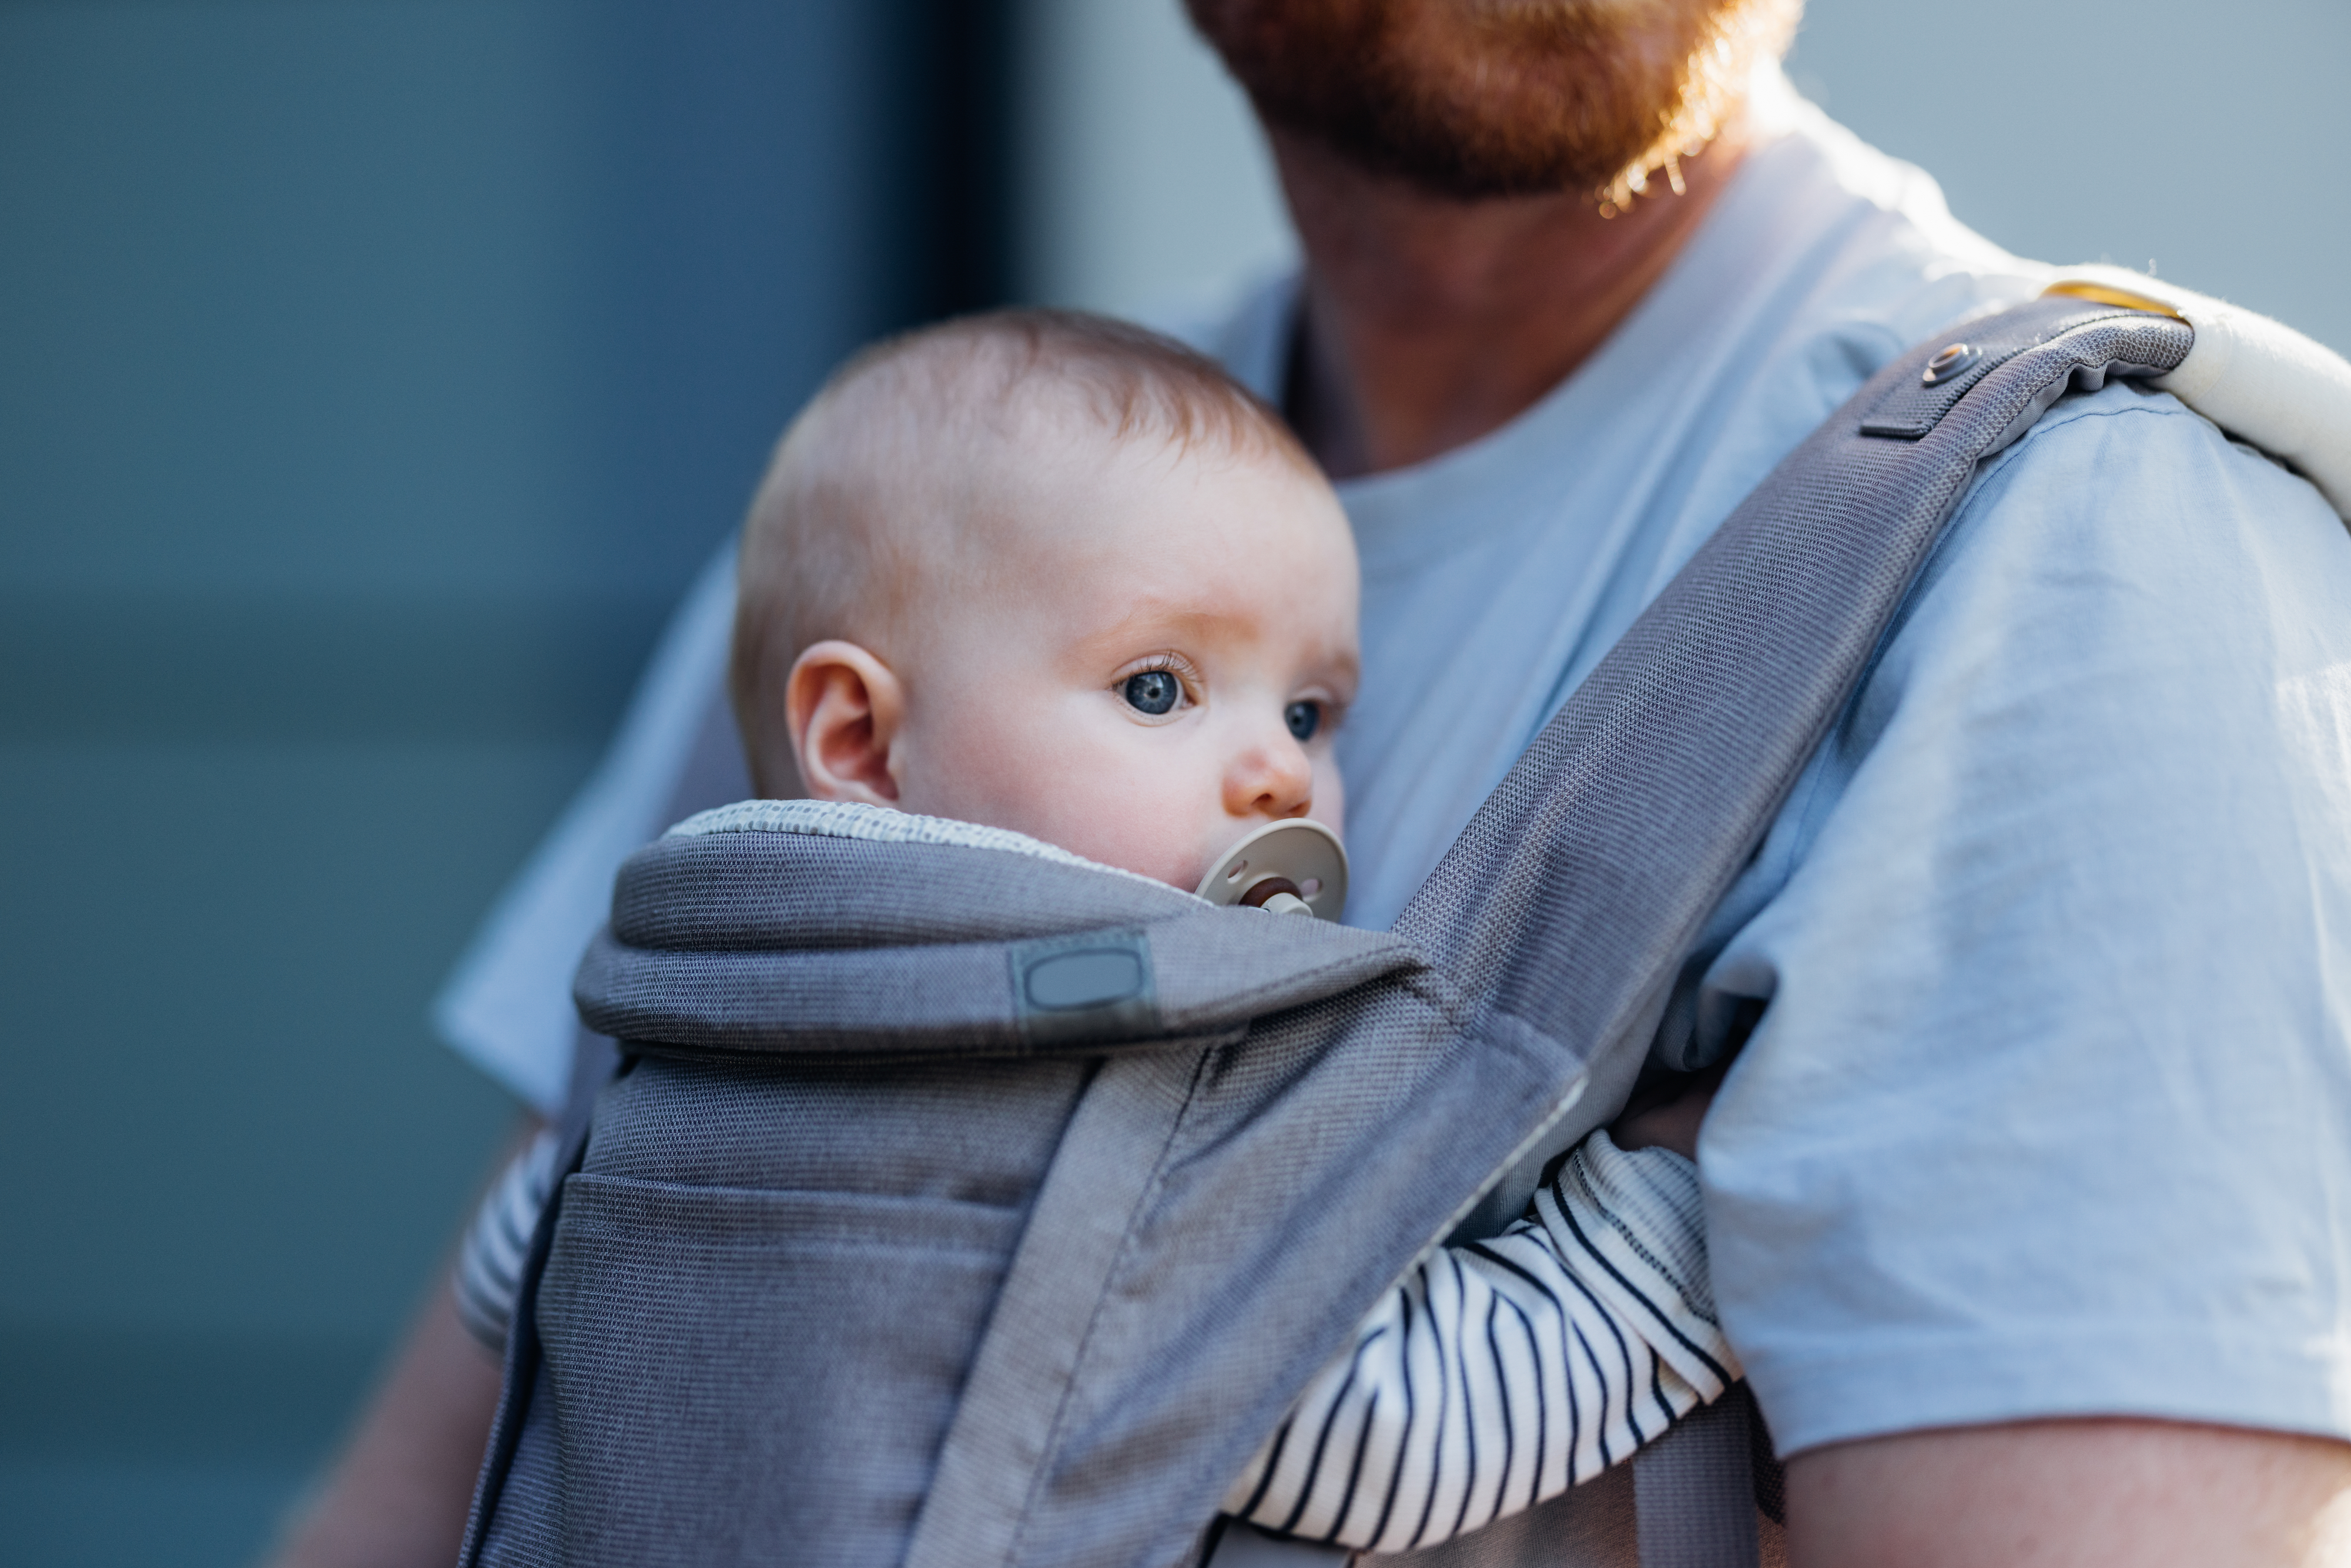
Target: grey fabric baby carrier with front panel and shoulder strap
965	1207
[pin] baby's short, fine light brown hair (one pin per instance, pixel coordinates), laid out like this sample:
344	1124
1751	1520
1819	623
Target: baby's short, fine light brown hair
916	443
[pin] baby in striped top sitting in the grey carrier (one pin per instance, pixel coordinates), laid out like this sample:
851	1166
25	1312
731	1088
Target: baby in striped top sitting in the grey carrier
1057	575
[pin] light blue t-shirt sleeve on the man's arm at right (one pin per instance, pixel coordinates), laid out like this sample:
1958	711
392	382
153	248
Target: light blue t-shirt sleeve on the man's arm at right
2047	1108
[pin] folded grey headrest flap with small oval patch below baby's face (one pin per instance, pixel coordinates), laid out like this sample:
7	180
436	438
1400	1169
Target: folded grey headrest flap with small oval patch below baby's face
850	932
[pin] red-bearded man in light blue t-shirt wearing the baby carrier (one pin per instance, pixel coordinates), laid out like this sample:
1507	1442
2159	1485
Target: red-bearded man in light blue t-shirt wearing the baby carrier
2028	1186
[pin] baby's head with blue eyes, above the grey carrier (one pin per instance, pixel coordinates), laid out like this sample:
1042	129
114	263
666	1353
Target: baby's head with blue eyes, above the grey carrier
1057	575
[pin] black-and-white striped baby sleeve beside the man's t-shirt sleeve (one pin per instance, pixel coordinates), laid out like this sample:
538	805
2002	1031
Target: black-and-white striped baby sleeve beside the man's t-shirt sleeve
1506	1372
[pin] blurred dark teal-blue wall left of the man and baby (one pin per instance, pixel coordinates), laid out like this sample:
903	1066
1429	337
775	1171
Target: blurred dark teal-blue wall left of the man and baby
373	375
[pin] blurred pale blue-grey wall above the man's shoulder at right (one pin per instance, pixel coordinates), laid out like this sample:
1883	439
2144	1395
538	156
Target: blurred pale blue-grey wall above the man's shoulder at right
2202	140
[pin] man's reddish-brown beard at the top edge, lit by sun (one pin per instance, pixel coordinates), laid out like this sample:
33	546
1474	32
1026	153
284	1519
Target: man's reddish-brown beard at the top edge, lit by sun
1499	98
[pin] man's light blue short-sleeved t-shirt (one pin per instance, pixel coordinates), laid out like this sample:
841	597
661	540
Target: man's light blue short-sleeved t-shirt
2051	1104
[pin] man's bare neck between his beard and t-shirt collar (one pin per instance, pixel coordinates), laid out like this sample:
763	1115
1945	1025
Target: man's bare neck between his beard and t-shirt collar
1431	321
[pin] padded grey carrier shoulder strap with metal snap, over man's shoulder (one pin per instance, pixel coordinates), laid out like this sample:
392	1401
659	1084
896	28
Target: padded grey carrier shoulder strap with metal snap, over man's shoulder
1588	876
